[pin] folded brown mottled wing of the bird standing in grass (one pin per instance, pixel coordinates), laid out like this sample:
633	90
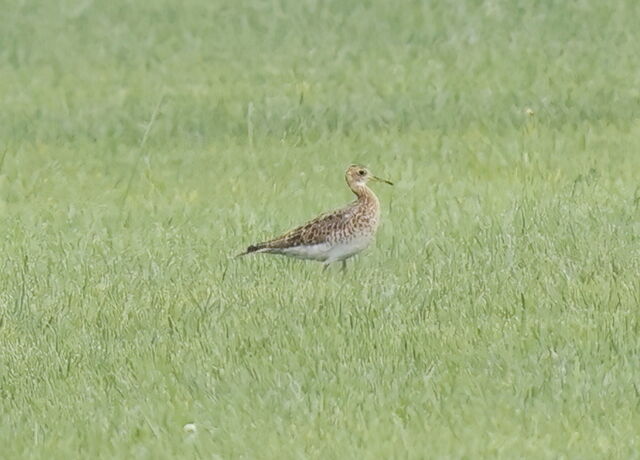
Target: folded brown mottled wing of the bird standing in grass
320	230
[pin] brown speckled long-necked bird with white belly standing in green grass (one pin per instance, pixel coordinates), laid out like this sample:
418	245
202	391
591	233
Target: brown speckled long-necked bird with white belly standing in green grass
334	236
